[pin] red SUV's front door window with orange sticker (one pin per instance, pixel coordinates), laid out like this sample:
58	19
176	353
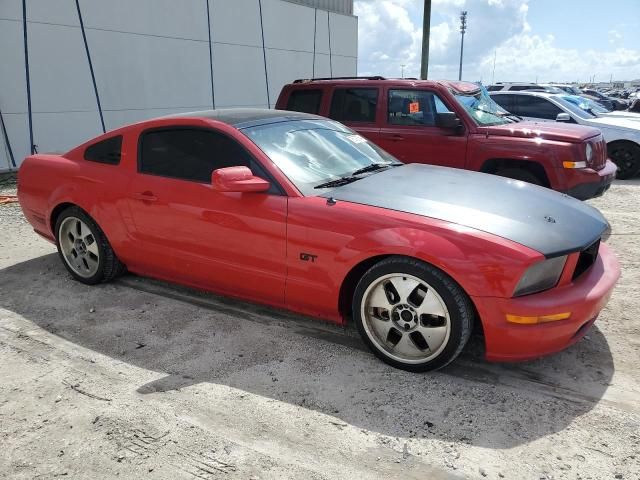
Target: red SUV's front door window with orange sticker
414	107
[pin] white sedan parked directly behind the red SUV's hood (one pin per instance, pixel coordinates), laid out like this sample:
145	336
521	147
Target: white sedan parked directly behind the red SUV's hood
622	135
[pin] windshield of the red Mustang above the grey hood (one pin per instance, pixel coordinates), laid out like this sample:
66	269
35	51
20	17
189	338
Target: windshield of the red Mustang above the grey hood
313	152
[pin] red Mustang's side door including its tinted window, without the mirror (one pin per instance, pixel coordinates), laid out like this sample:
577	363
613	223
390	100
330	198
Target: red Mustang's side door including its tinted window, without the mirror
234	242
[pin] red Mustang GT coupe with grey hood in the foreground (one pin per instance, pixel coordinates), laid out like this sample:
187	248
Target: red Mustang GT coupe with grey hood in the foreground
297	211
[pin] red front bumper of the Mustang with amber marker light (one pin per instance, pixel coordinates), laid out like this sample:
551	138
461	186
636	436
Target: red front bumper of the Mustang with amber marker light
584	298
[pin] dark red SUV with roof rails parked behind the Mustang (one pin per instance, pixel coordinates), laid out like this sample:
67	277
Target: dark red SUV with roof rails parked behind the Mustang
456	124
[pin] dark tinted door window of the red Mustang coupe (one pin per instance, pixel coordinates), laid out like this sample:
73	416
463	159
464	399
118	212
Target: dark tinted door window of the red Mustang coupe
189	154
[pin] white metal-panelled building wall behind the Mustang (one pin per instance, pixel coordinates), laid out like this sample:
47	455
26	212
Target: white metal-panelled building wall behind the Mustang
71	69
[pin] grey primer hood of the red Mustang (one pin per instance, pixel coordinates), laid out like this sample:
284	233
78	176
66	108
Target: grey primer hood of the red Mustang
549	222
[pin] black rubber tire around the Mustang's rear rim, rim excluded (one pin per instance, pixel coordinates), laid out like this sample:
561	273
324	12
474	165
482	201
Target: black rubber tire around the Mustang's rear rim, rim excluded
109	266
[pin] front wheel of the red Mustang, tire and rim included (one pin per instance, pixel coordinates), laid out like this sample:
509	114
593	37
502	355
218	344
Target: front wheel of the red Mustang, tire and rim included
412	315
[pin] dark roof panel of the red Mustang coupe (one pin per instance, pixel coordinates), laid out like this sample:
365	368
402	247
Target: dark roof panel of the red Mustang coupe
246	117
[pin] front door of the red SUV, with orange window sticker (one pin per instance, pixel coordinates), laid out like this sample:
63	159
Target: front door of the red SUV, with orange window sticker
410	132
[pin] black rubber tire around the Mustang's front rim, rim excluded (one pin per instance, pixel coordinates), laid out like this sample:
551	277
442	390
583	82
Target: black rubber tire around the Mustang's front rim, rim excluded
458	305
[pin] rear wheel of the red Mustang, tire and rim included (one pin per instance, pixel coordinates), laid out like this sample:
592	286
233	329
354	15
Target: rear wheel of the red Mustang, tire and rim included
84	249
